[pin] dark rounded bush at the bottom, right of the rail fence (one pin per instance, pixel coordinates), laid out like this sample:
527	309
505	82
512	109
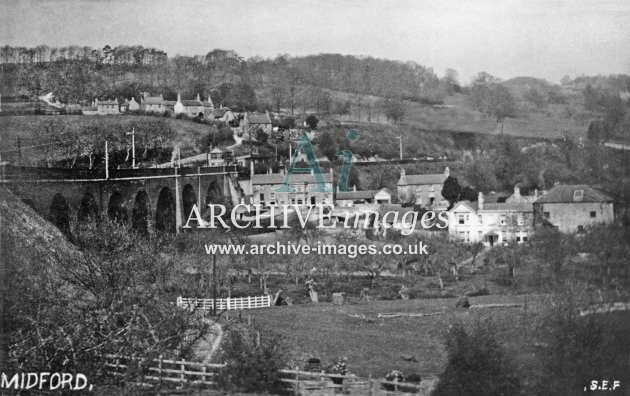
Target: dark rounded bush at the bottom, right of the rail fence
477	364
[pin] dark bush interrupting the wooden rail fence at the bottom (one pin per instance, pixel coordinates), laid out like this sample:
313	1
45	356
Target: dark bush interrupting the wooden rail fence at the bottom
254	360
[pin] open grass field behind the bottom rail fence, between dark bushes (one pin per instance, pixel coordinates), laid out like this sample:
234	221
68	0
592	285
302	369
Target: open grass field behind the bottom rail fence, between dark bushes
377	345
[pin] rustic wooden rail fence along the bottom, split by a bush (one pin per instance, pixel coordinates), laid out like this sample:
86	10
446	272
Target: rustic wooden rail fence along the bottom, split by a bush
181	372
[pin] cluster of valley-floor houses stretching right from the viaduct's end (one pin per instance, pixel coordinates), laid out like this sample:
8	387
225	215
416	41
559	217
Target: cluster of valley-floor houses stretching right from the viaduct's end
490	220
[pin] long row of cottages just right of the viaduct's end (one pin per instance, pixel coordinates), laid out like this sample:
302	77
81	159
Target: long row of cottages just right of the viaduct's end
264	190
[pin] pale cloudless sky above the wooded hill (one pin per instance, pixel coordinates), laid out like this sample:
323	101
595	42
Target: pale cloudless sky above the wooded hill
506	38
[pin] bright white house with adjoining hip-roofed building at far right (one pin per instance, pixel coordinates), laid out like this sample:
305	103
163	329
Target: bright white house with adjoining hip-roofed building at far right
569	208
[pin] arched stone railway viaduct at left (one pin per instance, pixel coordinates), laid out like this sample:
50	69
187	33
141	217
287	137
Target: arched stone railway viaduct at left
149	198
